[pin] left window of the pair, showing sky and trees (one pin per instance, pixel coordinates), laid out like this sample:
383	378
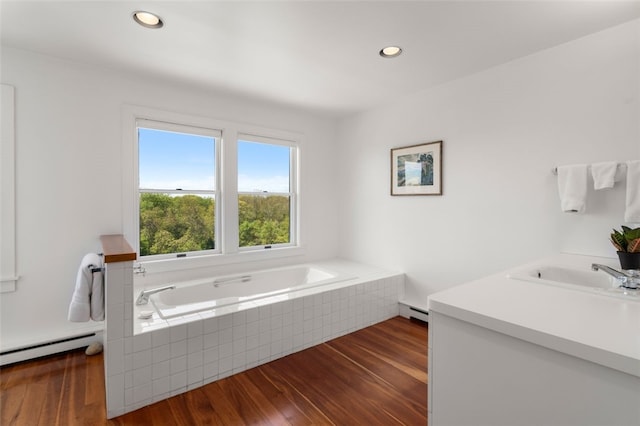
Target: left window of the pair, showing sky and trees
177	189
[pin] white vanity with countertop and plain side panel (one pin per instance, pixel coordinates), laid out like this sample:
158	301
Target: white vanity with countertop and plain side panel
536	346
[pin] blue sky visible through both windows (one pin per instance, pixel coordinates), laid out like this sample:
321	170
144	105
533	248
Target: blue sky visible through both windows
170	160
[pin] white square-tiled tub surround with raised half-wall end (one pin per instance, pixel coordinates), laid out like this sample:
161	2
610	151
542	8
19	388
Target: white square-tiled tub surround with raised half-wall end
145	368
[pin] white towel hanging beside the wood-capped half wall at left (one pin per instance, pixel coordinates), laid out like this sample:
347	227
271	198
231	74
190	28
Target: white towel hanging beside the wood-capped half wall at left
88	297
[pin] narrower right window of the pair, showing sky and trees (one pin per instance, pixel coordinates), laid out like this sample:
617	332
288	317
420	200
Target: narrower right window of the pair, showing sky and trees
266	192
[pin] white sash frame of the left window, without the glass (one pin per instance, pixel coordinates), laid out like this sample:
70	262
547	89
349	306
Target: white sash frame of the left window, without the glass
192	130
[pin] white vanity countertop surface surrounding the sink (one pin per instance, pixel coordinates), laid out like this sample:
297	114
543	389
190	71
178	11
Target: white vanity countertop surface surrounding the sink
598	328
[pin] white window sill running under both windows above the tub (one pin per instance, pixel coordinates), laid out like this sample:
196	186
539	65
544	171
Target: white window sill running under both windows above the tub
247	257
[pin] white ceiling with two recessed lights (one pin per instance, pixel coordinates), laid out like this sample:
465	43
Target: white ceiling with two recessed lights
316	55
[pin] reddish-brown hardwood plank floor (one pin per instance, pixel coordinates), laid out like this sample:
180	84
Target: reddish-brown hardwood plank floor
375	376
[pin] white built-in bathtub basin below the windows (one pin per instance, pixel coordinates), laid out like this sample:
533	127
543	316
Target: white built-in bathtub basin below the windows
215	292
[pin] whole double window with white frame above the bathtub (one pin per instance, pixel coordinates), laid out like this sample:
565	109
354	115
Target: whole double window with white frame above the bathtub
196	196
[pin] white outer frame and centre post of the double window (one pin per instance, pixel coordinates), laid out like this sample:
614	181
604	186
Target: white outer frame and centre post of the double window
226	199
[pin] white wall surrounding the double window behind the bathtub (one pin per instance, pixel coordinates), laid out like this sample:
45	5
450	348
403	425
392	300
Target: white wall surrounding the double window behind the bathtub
68	175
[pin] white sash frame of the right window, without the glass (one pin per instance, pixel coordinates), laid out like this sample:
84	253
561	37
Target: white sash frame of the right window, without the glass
292	194
